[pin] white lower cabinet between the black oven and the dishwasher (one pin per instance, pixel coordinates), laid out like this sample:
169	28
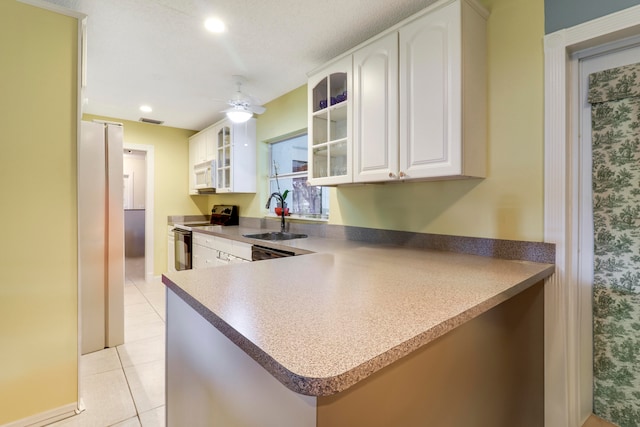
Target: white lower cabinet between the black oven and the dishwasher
213	251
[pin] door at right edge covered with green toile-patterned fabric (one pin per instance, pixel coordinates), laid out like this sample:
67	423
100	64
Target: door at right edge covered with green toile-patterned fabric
609	234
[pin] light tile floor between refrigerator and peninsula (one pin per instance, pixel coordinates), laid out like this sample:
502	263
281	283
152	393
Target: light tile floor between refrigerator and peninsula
124	386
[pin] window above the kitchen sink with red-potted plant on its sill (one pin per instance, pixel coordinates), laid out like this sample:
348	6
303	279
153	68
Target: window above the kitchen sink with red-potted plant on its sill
288	171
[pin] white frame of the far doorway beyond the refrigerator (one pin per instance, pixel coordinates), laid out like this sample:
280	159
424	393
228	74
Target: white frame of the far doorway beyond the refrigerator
149	254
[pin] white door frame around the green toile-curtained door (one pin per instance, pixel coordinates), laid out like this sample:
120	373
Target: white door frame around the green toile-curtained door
568	381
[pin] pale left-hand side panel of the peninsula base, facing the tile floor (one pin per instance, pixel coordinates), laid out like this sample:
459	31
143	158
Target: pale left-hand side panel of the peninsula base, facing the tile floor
210	381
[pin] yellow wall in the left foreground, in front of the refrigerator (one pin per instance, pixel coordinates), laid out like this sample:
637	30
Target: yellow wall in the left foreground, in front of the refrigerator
38	255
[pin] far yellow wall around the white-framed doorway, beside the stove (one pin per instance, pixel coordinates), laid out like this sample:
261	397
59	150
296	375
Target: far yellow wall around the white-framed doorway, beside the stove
171	181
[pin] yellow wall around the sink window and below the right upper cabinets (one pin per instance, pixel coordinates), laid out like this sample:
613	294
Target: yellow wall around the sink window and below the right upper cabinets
506	205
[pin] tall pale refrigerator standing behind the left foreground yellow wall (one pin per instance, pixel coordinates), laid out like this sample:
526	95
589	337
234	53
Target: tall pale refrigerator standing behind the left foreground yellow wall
100	236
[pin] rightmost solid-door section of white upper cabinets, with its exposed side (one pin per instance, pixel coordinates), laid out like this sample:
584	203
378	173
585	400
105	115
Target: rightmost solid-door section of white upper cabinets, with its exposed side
443	94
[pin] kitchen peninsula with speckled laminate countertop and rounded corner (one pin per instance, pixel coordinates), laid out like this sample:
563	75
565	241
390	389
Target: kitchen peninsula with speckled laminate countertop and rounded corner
353	333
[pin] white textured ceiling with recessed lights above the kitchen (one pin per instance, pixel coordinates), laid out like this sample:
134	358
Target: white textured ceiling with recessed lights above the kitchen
157	52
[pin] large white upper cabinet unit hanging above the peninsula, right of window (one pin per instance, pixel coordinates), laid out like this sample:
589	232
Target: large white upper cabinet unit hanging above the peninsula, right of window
419	100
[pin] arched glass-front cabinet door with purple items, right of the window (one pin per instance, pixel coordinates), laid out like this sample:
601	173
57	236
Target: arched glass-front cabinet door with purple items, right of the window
330	124
